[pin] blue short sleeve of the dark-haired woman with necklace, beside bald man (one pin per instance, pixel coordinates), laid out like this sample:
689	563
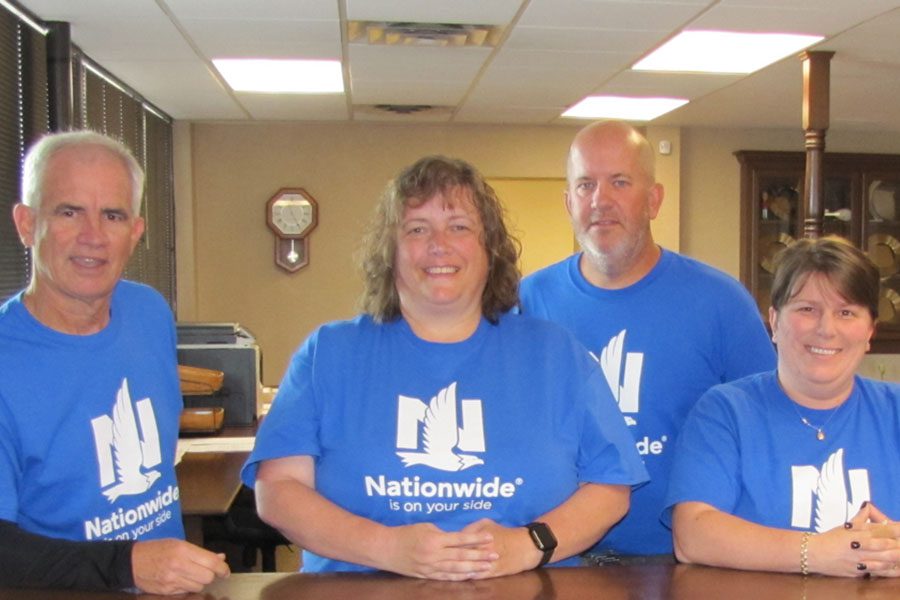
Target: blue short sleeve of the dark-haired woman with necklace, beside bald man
706	465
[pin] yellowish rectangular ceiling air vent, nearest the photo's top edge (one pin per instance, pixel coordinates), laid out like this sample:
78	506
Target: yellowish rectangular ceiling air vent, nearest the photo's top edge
383	33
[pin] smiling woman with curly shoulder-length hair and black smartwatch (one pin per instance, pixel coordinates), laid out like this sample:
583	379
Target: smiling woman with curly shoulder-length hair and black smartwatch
437	435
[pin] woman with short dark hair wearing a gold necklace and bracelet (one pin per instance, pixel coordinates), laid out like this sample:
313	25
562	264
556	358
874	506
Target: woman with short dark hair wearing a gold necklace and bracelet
796	470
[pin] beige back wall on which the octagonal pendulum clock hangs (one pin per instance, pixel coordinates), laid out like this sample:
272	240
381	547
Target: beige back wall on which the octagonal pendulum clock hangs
225	173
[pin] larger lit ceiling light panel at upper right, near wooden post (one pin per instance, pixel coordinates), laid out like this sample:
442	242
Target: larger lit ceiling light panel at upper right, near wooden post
723	51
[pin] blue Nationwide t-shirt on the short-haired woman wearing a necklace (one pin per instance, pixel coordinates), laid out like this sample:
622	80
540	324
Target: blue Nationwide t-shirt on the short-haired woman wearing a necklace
745	450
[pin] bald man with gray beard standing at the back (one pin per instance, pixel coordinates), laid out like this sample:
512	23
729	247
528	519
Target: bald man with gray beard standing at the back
663	327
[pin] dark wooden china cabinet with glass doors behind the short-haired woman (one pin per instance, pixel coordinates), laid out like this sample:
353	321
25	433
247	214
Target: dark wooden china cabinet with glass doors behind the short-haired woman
862	203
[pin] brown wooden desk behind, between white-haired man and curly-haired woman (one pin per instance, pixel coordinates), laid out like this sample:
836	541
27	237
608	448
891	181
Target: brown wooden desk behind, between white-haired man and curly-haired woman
208	483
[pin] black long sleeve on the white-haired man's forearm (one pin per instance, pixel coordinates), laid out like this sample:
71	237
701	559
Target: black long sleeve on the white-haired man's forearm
36	561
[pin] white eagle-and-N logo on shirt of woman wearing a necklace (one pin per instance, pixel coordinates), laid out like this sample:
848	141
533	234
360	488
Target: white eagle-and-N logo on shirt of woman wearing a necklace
838	494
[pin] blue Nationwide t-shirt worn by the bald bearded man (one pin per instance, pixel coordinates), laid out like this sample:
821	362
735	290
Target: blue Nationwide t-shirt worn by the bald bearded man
661	342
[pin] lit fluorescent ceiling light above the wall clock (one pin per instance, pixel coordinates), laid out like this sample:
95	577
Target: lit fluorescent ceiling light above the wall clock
282	76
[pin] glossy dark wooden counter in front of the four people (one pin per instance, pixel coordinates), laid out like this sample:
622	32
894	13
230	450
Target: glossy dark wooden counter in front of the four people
645	582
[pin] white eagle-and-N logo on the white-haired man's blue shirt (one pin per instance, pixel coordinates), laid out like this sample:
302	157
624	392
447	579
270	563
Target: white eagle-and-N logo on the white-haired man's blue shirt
126	452
